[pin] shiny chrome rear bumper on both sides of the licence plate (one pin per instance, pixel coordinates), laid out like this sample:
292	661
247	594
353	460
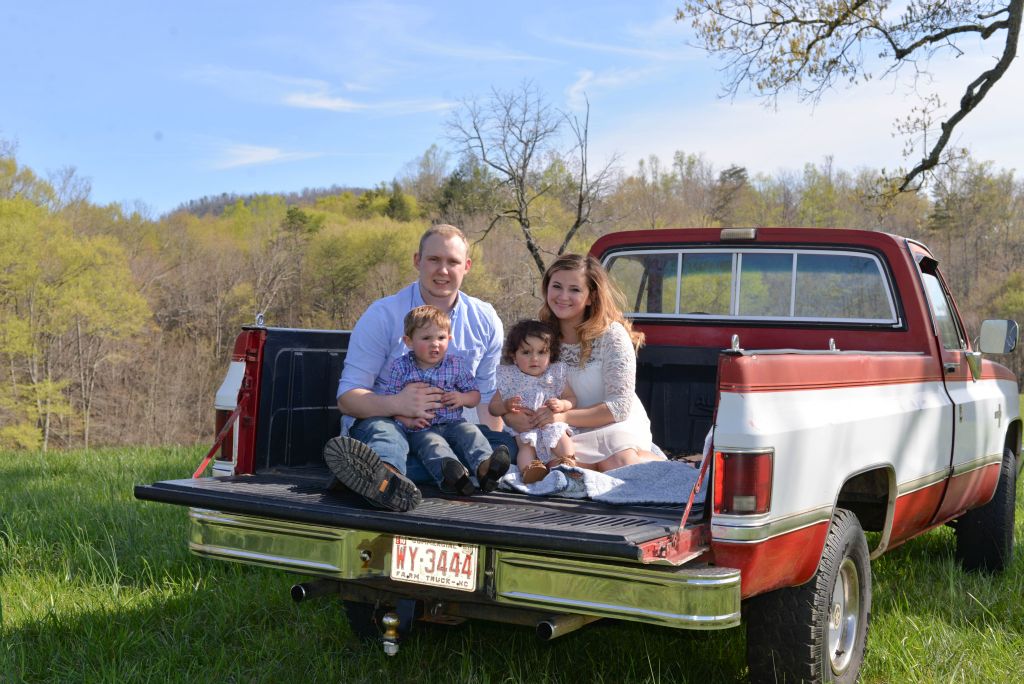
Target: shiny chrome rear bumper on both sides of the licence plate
697	597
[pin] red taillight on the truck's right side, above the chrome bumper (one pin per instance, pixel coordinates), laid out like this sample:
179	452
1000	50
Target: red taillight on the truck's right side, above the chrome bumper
743	483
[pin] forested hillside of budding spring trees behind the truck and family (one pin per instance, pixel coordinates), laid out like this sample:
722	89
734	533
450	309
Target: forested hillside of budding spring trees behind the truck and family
115	327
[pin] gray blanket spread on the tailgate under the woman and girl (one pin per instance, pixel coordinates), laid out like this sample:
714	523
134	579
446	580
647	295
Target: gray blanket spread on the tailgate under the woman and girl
651	483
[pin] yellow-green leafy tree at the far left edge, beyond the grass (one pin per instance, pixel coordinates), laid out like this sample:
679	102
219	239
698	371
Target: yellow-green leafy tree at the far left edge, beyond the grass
61	292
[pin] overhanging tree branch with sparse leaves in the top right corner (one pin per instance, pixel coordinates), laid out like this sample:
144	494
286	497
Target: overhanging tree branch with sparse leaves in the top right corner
812	47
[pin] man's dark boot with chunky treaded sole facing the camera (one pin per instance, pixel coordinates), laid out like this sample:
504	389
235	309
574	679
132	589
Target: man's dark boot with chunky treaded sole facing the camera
358	467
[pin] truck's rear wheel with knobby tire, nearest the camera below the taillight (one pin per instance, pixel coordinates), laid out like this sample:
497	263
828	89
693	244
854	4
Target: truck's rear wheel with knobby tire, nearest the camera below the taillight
817	632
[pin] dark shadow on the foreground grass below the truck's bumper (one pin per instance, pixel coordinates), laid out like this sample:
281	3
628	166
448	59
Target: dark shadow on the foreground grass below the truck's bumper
245	628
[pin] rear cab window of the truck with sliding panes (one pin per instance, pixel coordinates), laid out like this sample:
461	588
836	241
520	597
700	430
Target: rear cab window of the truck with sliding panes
798	286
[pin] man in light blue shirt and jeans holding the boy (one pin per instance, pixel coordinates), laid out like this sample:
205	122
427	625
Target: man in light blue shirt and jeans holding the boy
372	460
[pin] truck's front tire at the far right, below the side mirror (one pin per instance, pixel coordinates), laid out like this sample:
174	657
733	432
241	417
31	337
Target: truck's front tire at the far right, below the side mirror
986	536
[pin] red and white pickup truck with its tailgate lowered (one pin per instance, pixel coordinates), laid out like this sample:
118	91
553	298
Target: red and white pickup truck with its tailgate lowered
849	412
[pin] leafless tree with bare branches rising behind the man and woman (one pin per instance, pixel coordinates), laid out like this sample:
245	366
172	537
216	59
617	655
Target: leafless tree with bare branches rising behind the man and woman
513	135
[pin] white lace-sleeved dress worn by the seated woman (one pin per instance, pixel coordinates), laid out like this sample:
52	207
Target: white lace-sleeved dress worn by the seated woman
610	377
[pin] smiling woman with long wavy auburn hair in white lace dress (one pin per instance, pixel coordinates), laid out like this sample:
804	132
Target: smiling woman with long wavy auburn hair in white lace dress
599	347
